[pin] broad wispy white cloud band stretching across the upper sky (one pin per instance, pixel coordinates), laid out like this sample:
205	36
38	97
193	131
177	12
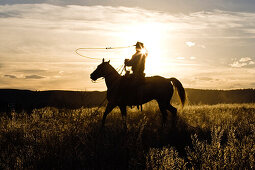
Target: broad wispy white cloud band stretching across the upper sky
90	18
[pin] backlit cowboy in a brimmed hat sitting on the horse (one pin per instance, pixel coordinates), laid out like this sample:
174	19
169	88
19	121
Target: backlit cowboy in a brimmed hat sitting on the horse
137	62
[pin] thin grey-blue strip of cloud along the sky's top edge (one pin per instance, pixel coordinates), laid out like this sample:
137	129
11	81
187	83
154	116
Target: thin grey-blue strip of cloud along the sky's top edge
183	6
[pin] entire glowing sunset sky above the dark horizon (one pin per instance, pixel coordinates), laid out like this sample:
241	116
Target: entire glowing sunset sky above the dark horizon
206	44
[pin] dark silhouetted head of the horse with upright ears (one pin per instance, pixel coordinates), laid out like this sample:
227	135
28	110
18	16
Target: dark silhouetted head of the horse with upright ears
101	70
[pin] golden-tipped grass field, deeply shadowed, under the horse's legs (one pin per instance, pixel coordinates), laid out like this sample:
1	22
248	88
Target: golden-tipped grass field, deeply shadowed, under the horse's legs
206	137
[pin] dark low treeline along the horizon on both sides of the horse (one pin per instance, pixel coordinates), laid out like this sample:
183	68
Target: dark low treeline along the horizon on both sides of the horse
19	100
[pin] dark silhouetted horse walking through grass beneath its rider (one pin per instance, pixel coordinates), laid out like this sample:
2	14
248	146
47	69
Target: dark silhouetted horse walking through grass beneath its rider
121	94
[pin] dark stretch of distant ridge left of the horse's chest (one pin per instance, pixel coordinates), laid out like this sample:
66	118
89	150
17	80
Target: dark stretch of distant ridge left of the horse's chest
27	100
